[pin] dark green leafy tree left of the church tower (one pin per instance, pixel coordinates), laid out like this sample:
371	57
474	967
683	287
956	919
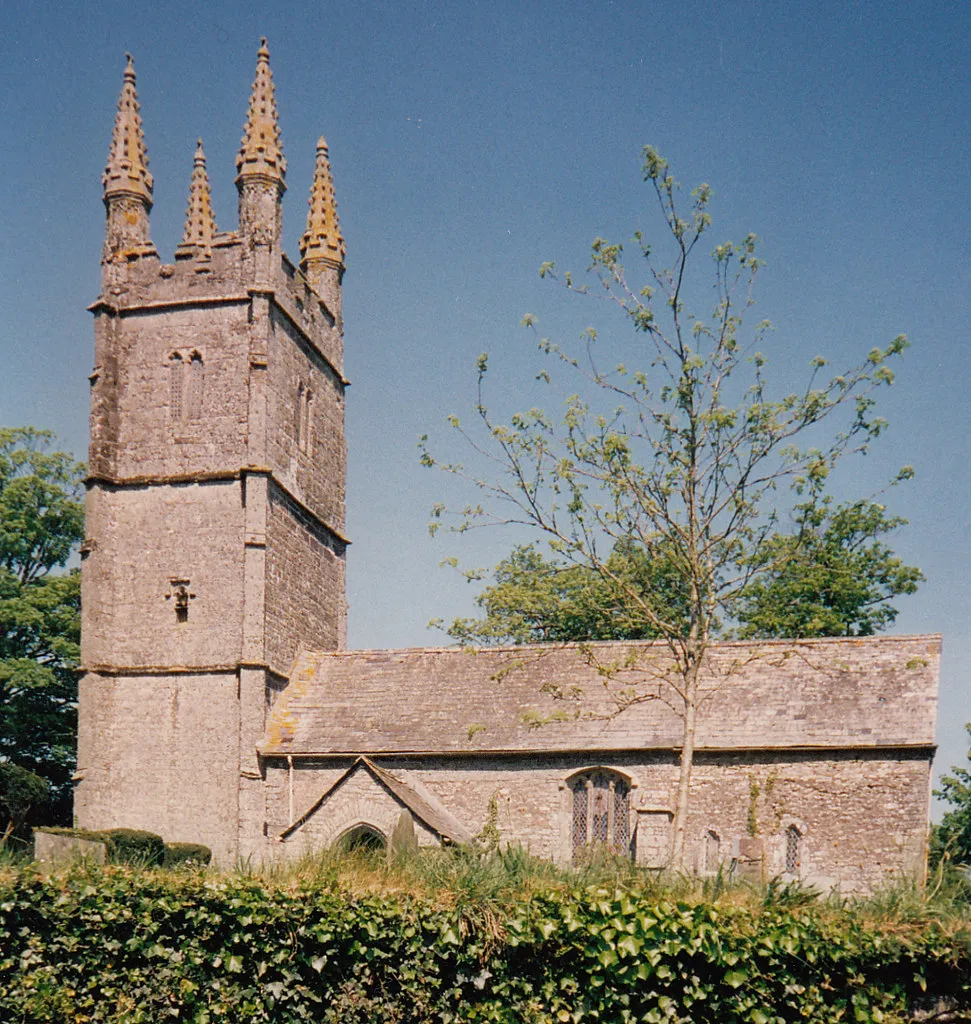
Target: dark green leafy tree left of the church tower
41	524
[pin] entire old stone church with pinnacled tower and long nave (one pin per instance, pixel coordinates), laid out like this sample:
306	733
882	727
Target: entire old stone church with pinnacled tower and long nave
220	704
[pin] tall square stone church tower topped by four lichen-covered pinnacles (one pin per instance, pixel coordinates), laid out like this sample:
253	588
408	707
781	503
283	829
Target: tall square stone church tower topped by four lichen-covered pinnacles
216	506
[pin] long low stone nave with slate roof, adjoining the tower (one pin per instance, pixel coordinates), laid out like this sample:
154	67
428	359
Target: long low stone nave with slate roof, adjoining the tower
831	738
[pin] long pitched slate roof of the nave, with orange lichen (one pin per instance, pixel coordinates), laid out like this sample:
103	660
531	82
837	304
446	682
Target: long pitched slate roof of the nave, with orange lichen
848	693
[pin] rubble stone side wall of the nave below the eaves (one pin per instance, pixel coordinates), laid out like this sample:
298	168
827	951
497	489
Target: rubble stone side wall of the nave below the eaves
862	816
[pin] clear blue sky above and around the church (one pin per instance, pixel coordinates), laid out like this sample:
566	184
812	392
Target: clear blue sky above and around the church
472	142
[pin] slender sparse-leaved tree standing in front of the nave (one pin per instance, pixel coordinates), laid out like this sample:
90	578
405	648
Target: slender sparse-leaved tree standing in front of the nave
687	455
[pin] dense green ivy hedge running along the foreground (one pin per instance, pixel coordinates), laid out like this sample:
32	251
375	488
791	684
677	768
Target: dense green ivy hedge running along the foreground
122	946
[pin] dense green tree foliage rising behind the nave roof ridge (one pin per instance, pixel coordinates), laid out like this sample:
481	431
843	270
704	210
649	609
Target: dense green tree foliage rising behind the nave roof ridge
833	576
